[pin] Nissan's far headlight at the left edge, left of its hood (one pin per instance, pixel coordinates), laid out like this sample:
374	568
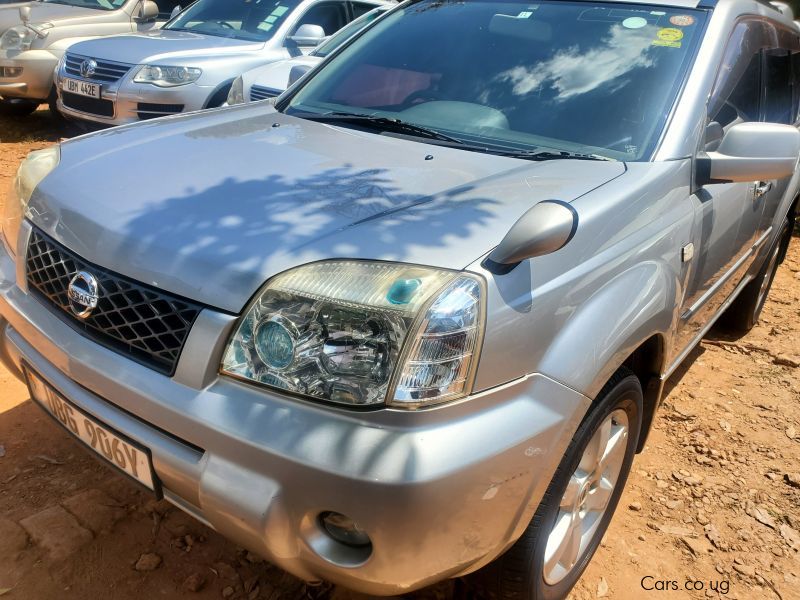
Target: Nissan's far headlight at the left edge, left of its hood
31	172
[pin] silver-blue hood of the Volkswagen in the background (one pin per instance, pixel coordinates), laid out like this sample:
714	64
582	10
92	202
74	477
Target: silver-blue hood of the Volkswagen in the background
163	45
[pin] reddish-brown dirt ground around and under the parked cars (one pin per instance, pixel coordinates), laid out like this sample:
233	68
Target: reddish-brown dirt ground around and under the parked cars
712	505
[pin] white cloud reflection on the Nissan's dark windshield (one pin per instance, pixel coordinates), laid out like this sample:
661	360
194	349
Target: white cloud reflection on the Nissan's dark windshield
571	72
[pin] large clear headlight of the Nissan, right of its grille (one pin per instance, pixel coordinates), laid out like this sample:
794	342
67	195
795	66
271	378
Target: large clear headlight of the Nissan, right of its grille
362	333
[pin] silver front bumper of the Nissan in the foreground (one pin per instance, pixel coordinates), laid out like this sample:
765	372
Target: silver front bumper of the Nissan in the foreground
440	492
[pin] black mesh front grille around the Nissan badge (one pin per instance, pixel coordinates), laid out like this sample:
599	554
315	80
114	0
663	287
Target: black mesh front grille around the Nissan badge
136	320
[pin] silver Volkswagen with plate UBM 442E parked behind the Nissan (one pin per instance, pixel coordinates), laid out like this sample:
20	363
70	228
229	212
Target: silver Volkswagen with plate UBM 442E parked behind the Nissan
191	62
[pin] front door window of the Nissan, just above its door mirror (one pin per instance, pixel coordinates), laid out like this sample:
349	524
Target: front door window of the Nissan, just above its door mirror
737	93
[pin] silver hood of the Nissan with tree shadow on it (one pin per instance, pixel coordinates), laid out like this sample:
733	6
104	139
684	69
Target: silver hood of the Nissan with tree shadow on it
209	206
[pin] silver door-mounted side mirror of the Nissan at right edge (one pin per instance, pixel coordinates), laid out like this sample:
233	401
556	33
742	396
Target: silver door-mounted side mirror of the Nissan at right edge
751	152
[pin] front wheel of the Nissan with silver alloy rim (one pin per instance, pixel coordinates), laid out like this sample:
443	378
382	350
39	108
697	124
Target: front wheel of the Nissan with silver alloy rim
549	558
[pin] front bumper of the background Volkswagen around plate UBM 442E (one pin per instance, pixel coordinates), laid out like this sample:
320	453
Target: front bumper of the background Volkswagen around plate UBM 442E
123	102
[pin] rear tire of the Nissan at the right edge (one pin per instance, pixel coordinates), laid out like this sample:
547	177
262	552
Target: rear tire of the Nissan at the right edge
743	314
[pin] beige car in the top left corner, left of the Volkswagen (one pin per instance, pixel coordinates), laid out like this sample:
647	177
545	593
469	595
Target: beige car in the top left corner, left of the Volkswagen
34	36
